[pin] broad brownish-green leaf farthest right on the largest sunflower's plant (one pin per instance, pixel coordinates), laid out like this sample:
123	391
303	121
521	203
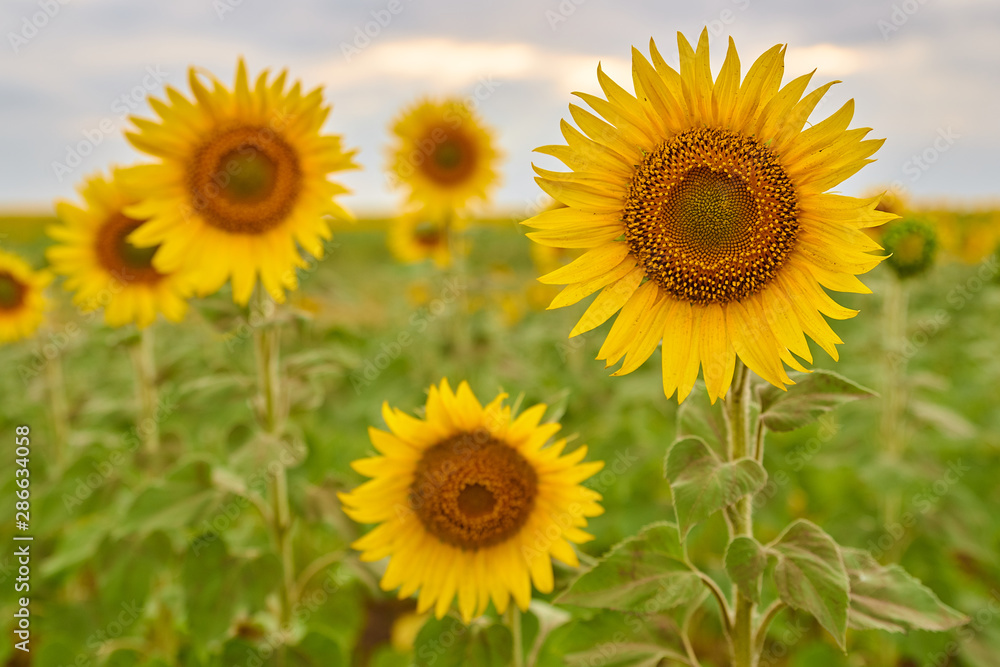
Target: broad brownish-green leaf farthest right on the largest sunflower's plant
886	597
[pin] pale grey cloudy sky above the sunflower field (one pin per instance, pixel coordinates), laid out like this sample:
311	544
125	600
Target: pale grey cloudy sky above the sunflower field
925	74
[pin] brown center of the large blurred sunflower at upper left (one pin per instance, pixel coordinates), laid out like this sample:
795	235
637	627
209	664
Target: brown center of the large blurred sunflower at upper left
245	180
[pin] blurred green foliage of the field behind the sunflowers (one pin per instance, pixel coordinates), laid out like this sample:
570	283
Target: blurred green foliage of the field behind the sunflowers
169	563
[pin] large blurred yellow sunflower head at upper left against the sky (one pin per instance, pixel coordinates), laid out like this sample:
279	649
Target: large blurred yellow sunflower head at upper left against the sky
241	184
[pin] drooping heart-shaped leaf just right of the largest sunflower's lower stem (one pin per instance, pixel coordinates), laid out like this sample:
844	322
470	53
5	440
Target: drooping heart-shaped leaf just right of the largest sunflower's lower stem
811	577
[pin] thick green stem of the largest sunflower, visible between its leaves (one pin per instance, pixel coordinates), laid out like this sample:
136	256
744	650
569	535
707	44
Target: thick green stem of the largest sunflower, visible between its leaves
737	410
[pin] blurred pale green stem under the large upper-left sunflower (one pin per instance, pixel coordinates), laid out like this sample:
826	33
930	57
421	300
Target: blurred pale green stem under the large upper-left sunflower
271	419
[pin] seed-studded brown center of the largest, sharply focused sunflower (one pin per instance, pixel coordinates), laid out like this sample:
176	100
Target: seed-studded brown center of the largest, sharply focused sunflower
711	215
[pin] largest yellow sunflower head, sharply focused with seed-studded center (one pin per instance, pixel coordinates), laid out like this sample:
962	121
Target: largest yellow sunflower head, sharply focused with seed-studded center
703	210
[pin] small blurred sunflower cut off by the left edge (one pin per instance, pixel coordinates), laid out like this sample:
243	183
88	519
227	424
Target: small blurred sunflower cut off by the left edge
22	302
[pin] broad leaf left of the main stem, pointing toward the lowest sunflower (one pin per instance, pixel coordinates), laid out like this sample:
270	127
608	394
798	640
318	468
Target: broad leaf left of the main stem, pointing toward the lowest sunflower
646	573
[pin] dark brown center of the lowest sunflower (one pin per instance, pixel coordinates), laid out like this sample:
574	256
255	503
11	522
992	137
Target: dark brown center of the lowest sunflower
472	491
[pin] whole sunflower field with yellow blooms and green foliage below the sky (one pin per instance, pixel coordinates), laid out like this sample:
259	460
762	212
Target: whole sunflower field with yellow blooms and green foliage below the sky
247	427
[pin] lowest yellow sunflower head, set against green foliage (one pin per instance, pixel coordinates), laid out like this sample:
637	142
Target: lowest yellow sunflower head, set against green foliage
471	501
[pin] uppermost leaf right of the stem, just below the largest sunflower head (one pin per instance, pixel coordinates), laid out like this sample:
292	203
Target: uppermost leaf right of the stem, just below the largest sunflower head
812	395
